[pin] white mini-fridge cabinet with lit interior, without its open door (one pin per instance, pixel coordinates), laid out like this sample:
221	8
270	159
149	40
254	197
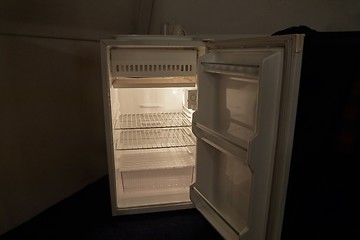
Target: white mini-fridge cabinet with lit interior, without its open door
151	93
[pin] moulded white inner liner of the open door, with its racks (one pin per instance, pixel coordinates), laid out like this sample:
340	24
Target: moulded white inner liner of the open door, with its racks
236	127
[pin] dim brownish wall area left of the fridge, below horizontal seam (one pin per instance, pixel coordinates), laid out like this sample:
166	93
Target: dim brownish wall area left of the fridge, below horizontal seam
53	140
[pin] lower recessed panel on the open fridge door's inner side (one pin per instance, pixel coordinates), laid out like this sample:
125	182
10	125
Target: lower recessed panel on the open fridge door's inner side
226	183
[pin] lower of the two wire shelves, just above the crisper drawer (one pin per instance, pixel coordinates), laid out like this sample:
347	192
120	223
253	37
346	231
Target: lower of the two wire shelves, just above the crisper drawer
155	138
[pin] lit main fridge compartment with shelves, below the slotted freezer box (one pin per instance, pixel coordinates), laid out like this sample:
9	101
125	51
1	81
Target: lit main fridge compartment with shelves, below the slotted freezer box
154	147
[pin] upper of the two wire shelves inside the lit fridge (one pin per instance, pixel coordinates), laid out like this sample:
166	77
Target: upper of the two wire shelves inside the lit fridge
152	120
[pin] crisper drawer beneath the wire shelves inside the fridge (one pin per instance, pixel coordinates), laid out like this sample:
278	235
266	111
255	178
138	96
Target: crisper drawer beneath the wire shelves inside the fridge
156	170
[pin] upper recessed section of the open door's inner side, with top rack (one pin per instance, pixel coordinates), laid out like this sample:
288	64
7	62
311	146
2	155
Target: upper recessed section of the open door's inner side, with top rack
232	91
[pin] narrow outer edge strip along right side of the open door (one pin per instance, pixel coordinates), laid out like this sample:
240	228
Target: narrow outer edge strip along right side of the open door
287	120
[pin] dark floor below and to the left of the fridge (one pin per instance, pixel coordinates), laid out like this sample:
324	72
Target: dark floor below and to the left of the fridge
87	215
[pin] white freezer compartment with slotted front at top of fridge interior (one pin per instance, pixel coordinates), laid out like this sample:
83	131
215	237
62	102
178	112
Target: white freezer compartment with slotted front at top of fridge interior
150	68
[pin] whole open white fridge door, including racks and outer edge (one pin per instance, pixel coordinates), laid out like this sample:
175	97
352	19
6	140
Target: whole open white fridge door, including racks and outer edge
244	116
